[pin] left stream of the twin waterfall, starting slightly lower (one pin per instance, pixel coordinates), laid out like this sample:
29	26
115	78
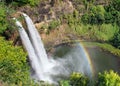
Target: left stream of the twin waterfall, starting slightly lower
31	53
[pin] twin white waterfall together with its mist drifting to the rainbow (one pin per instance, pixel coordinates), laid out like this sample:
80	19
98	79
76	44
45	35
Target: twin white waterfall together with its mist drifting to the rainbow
50	70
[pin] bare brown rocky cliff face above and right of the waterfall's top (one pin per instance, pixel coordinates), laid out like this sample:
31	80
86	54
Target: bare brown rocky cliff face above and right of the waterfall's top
48	10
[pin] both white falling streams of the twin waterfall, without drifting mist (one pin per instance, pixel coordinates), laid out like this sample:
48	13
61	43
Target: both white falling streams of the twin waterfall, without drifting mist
35	48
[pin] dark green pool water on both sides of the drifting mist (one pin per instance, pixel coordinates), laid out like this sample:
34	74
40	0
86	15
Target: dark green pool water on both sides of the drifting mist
100	60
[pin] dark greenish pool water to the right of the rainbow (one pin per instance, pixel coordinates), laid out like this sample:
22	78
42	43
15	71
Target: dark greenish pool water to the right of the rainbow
103	60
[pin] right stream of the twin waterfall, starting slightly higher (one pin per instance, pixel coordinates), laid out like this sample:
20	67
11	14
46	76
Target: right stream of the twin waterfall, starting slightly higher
36	41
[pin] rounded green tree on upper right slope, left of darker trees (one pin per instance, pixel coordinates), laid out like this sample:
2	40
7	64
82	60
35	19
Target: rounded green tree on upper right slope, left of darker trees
95	15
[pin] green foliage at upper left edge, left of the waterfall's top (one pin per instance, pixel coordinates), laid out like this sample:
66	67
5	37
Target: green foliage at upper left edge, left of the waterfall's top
5	19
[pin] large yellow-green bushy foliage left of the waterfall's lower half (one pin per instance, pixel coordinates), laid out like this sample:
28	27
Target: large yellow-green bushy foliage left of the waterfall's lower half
13	65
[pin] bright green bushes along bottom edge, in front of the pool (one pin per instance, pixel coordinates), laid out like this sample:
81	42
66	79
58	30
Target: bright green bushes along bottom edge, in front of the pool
104	79
